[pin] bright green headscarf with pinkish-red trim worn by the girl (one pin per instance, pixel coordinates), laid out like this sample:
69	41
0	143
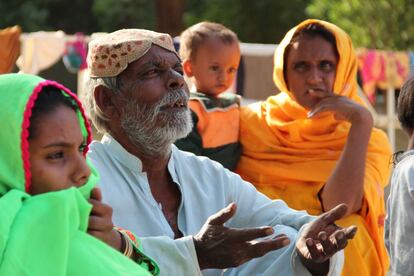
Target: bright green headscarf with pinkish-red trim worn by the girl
45	234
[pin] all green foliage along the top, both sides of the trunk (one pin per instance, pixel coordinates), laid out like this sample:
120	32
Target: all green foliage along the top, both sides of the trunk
381	24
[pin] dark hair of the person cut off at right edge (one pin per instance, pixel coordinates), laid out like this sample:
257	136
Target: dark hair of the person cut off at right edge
405	105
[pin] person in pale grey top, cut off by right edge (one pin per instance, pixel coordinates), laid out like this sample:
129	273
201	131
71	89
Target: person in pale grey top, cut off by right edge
399	223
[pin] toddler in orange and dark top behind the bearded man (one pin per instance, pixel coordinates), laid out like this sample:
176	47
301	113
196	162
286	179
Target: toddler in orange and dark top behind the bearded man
211	56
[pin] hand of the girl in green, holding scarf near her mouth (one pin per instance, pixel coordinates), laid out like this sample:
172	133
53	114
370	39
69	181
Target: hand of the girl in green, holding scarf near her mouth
100	221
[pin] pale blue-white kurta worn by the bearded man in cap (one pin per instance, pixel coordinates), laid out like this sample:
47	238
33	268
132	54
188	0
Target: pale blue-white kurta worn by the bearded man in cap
206	187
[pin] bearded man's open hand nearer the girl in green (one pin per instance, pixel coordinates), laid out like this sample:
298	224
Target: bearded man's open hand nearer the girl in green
218	246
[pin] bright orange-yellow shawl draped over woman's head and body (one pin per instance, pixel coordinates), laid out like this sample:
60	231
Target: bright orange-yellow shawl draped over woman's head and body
290	157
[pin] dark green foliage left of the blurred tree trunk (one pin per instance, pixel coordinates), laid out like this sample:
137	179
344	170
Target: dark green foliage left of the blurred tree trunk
72	16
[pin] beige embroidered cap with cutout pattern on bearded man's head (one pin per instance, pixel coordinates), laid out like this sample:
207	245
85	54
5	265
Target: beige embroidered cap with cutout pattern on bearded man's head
110	54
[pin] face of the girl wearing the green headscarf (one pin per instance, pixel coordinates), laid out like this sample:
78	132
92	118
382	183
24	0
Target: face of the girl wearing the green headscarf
56	152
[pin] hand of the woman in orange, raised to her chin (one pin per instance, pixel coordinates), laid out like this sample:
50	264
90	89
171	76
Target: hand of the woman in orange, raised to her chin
342	107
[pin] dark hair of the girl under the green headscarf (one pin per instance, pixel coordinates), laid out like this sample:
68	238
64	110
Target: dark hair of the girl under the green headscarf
48	100
